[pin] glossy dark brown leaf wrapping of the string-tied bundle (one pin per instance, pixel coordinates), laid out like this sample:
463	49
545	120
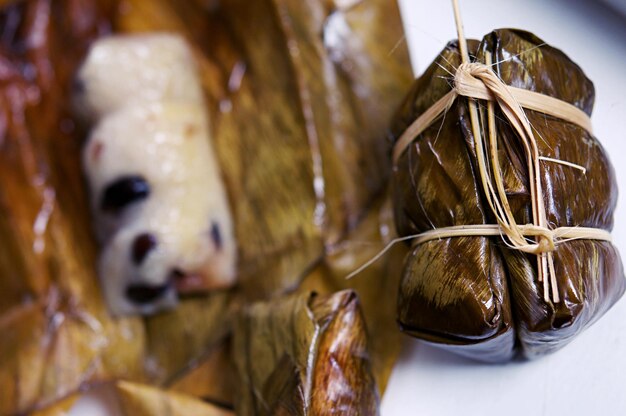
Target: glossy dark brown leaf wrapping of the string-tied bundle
474	295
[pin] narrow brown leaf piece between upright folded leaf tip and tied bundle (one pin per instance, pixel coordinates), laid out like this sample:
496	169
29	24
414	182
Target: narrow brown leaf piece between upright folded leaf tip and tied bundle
376	286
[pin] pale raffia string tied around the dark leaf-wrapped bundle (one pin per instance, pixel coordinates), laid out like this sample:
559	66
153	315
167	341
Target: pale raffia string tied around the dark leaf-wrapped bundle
477	81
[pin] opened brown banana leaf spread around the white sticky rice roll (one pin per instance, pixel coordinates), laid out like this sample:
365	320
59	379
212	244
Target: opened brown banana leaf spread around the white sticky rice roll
298	137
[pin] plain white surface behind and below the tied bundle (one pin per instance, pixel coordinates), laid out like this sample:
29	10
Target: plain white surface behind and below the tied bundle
588	377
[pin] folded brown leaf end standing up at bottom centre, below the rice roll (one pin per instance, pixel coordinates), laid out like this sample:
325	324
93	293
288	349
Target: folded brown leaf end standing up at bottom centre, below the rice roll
304	354
